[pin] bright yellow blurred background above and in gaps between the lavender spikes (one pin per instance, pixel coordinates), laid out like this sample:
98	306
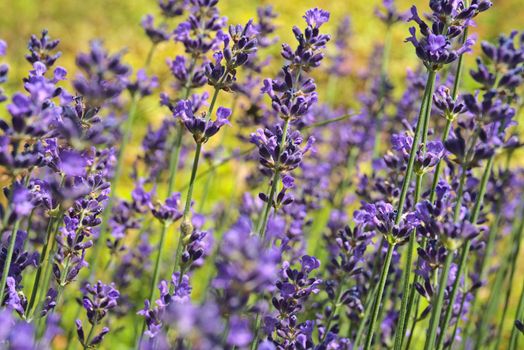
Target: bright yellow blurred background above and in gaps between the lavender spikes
117	22
